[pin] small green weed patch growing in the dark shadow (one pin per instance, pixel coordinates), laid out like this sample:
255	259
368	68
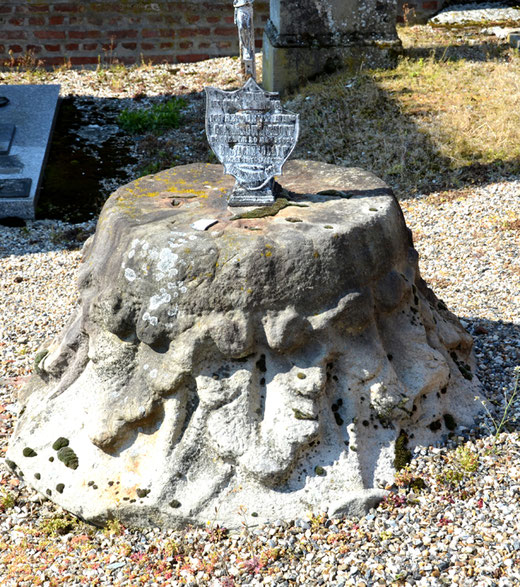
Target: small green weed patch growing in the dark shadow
157	119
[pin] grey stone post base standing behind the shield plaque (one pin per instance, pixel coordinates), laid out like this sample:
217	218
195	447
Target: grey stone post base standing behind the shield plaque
308	37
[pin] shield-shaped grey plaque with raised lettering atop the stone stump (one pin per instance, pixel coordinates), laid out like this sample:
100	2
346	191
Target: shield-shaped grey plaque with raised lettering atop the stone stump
252	135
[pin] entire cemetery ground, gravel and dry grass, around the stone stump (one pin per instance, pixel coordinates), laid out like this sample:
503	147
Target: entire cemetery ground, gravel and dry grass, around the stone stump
442	128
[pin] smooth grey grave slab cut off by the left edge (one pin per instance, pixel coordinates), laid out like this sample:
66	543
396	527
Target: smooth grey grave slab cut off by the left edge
32	111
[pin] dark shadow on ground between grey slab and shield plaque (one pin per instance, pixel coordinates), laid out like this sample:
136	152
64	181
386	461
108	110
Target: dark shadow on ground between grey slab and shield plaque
91	156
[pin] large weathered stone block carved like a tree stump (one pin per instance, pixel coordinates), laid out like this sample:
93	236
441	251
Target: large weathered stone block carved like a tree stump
269	362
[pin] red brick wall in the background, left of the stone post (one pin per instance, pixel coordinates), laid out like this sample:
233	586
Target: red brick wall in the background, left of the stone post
86	33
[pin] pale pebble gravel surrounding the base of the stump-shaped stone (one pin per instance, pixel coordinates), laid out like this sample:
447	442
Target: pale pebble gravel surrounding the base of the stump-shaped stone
453	516
